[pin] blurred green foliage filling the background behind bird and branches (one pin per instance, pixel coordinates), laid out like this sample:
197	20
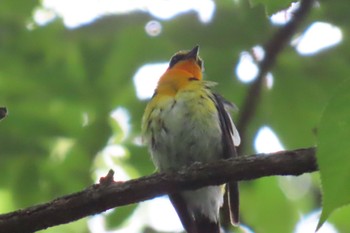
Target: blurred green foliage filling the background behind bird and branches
61	85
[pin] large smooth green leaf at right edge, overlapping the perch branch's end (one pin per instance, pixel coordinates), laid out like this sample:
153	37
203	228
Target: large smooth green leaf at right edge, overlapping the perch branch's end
333	152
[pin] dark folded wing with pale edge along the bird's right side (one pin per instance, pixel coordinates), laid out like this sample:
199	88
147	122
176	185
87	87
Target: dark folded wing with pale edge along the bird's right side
229	151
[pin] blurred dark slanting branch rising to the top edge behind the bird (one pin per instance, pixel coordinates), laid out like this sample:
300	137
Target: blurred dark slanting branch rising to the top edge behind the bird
273	47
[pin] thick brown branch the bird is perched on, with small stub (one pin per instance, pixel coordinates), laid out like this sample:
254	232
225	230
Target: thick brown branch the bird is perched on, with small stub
109	194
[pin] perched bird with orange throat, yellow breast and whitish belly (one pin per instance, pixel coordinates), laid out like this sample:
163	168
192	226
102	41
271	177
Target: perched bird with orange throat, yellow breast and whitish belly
186	122
